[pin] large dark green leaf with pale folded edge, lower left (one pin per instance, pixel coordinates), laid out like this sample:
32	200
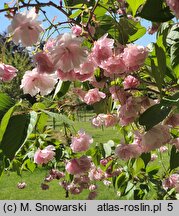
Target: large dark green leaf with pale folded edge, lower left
17	131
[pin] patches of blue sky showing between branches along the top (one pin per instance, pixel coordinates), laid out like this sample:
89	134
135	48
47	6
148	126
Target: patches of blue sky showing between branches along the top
51	12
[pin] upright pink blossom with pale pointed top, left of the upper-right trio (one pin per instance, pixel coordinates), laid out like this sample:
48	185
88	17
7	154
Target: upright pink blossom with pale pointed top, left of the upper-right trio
102	49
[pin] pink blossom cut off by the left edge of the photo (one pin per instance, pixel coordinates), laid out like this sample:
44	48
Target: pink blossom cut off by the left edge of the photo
7	72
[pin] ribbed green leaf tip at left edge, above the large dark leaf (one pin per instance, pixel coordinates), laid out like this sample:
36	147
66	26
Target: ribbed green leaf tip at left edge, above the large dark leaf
5	104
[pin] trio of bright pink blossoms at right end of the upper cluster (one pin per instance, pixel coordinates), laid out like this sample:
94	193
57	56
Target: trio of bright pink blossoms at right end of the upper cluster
117	61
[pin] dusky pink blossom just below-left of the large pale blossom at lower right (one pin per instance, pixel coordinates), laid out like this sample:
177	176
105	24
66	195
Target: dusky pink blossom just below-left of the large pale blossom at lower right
128	151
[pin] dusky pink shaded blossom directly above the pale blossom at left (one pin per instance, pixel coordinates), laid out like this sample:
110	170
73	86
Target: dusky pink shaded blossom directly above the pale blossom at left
44	63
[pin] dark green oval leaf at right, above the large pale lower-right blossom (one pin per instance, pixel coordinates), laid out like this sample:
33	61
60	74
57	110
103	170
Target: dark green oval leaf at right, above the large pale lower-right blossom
154	115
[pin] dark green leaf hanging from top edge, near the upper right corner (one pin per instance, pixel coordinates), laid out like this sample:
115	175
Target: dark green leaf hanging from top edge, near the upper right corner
156	11
